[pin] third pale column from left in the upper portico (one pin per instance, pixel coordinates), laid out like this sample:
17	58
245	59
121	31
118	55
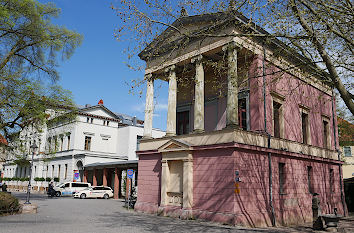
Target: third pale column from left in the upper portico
199	94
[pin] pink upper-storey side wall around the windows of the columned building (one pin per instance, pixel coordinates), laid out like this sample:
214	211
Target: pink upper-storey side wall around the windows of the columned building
296	92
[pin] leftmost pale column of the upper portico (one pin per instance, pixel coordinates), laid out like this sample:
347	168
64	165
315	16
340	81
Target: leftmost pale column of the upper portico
149	106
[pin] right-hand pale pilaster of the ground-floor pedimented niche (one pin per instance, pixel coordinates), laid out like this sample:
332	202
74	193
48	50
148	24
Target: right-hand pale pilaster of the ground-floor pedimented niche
188	183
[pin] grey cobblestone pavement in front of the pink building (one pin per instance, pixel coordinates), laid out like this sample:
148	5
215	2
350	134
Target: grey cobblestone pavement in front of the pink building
76	215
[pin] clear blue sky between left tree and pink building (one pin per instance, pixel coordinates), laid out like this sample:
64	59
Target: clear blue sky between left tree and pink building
97	70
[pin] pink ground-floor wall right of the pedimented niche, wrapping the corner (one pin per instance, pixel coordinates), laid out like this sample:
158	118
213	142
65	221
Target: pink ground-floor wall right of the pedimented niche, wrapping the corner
214	173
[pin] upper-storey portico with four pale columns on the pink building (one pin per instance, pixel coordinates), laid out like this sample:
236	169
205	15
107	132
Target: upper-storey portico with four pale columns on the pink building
197	67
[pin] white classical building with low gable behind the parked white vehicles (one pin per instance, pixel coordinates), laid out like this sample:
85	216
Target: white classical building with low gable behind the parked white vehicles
98	135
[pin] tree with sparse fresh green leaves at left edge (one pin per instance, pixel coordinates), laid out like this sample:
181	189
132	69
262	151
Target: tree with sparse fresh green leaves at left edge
29	46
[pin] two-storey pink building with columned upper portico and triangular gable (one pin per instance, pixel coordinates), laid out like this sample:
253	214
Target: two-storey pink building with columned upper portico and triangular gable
250	134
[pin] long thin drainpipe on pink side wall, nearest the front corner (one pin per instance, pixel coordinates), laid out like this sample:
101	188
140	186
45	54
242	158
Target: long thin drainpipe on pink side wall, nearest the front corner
268	135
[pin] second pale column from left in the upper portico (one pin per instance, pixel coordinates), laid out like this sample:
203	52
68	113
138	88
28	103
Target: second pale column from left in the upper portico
172	101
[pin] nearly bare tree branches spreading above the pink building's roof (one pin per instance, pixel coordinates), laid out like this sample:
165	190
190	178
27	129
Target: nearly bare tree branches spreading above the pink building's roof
320	31
